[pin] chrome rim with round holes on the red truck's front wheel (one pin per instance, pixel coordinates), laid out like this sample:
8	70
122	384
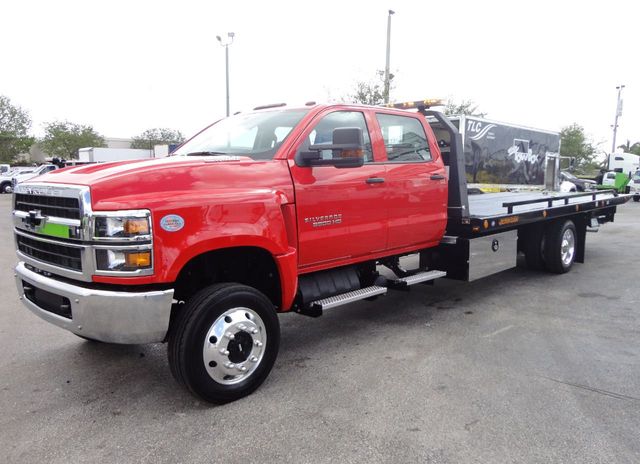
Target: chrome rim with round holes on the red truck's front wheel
234	346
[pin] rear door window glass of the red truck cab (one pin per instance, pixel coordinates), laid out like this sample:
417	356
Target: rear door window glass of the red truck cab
404	138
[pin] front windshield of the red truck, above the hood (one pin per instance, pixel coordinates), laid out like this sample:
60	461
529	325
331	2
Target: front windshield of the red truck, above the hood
257	135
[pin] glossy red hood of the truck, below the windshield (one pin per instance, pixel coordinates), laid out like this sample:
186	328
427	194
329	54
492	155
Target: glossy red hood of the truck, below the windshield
140	183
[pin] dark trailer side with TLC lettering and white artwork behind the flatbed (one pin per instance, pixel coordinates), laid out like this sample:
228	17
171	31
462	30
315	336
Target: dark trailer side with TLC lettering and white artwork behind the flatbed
498	153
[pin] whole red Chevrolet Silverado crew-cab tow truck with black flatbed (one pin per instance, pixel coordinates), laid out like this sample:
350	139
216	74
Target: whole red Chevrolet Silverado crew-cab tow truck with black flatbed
279	209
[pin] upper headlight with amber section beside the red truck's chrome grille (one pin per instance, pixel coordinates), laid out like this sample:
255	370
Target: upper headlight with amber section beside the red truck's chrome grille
123	225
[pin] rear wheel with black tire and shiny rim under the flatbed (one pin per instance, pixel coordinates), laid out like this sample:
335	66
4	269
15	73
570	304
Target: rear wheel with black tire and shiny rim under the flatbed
561	240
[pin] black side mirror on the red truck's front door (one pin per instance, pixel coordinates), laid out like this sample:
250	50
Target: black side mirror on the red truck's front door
347	147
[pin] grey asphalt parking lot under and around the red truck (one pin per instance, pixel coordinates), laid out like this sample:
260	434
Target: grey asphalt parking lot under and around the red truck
518	367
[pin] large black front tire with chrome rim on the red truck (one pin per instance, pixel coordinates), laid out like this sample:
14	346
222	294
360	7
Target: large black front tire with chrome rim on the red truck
224	342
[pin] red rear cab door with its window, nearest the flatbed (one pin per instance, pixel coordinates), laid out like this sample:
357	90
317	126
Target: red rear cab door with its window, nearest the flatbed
416	180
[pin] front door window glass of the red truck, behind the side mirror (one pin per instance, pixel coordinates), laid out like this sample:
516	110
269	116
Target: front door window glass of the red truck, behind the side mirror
322	133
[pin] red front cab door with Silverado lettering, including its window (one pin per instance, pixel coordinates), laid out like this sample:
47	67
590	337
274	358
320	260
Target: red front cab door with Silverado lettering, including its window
341	213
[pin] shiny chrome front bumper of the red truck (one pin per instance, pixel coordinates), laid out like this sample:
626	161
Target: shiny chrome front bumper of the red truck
113	317
